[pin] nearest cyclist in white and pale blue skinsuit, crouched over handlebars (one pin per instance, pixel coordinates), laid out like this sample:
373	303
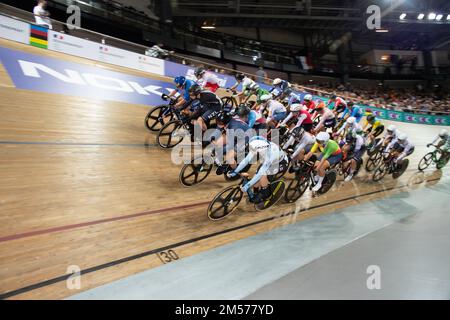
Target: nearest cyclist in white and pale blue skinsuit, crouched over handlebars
272	159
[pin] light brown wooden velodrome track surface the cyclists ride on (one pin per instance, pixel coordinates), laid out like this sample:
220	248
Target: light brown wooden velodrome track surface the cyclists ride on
83	183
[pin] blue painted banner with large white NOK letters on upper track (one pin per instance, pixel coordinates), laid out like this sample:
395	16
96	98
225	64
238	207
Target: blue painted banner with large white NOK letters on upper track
51	75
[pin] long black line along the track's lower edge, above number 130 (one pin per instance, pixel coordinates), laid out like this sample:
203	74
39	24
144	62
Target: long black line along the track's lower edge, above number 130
178	244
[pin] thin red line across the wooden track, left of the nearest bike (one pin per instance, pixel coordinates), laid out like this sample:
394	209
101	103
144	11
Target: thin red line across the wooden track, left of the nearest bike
94	222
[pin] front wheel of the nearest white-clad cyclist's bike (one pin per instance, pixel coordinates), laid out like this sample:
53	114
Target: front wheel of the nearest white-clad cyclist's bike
225	202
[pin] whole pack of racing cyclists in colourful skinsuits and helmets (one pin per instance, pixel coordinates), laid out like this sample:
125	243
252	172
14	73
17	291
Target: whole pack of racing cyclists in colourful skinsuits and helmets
326	132
